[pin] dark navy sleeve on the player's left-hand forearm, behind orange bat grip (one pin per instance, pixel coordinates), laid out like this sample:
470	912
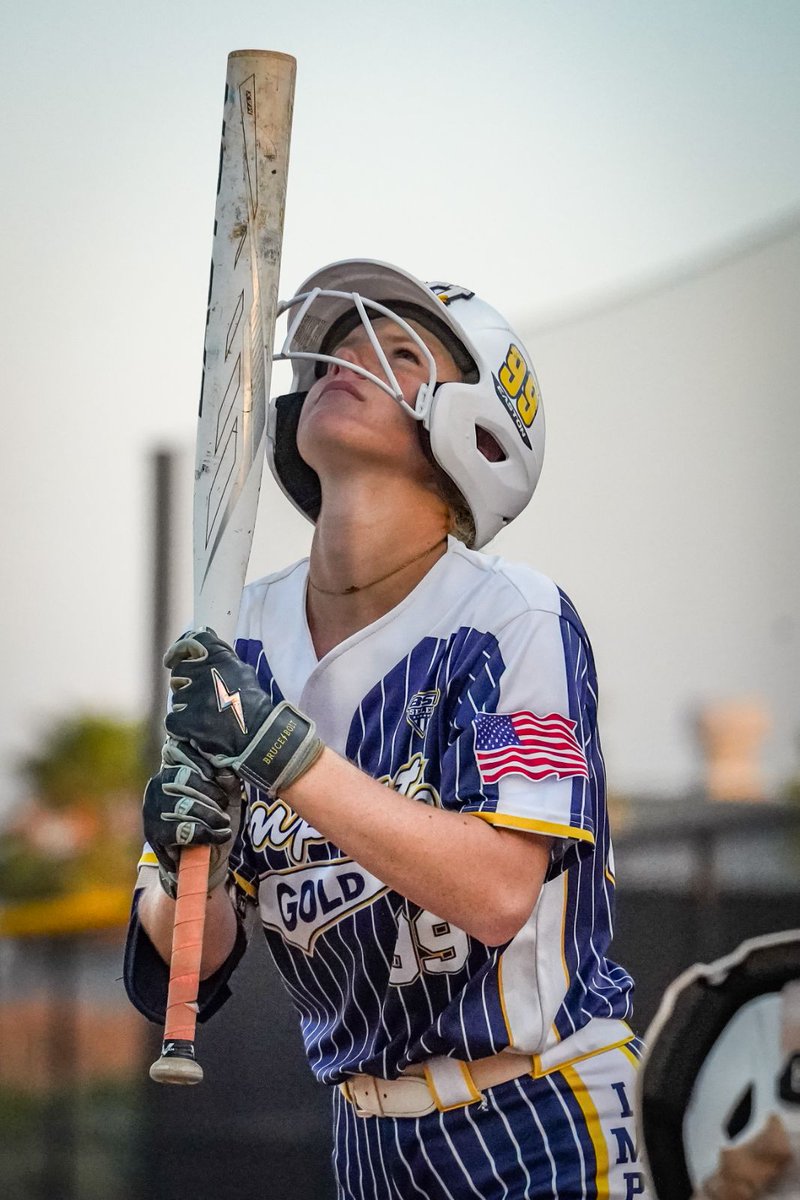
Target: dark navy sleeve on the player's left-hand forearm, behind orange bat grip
147	975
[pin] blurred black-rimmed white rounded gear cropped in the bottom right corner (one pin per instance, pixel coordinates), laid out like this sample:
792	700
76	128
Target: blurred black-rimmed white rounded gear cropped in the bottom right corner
720	1083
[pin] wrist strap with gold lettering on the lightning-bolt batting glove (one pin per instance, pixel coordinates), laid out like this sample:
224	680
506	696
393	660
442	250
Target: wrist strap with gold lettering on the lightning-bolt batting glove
282	751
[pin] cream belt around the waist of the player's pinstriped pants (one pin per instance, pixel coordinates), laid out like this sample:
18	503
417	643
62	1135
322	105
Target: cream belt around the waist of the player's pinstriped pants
441	1084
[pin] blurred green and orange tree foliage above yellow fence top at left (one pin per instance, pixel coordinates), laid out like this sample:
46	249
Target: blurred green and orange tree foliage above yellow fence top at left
80	827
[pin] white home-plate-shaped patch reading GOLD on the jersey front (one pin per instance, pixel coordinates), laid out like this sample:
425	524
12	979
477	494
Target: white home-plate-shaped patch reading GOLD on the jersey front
303	903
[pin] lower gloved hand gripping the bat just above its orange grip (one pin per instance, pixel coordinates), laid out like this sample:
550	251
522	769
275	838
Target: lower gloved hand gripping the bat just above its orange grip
190	805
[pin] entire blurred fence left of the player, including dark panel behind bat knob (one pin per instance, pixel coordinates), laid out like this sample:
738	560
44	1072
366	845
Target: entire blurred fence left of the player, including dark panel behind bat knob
80	1118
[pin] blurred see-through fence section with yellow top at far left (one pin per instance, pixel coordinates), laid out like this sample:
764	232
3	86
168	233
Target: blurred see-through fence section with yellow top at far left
69	1047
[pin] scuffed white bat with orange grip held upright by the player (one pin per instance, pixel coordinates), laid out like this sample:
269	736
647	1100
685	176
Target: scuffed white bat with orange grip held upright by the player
237	365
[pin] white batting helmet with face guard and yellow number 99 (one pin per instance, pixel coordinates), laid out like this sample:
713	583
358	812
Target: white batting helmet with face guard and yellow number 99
498	395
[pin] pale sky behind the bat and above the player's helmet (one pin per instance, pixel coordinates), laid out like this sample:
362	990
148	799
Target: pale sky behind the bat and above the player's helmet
548	155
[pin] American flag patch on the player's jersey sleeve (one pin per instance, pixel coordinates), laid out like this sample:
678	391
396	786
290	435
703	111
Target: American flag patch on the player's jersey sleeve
526	745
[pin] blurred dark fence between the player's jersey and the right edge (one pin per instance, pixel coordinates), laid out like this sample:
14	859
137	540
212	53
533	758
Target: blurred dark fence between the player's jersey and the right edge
695	880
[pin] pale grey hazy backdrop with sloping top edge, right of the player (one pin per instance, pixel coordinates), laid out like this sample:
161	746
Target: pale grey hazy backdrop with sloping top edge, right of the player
669	506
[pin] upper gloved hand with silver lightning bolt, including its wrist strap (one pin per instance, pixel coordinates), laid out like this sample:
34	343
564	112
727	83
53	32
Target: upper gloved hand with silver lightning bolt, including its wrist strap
220	707
